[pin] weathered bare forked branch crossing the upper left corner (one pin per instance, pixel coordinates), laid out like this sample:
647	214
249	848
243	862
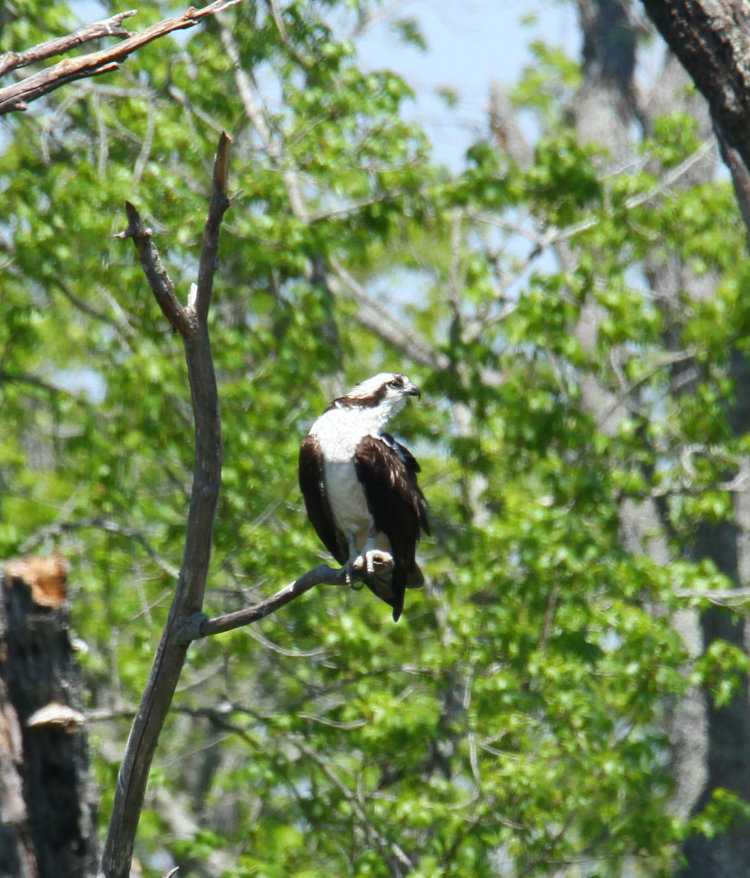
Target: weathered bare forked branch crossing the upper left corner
18	95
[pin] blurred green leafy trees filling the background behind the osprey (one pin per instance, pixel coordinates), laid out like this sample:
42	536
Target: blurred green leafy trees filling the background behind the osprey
569	694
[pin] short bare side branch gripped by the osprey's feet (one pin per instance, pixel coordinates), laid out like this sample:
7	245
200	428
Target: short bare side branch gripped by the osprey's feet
200	625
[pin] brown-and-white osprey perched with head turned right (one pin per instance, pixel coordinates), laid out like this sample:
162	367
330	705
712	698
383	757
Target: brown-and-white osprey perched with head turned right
360	485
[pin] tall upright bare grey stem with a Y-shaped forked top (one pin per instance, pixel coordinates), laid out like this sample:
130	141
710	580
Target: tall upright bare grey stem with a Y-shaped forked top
191	322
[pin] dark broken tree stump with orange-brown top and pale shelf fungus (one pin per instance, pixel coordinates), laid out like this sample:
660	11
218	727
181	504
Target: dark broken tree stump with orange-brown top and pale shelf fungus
48	802
